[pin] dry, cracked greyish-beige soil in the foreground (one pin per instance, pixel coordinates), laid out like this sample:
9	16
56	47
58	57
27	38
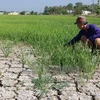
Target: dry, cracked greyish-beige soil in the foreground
16	83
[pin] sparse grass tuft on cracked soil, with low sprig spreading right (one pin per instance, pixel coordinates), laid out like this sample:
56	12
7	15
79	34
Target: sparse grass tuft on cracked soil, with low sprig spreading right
44	82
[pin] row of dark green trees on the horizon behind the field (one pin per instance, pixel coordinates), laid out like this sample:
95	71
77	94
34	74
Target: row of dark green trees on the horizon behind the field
71	9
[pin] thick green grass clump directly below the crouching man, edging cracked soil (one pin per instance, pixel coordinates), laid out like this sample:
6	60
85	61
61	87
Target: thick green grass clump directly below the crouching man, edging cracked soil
75	59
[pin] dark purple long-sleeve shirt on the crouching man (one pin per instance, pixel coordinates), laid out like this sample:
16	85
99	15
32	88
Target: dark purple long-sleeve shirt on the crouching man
91	33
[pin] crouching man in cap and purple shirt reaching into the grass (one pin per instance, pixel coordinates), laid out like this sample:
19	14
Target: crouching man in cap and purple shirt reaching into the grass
89	34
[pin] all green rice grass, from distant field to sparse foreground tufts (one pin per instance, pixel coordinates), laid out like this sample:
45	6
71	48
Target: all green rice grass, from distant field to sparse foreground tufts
46	35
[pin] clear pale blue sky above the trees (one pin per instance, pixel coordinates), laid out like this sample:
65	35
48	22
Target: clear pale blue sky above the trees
37	5
